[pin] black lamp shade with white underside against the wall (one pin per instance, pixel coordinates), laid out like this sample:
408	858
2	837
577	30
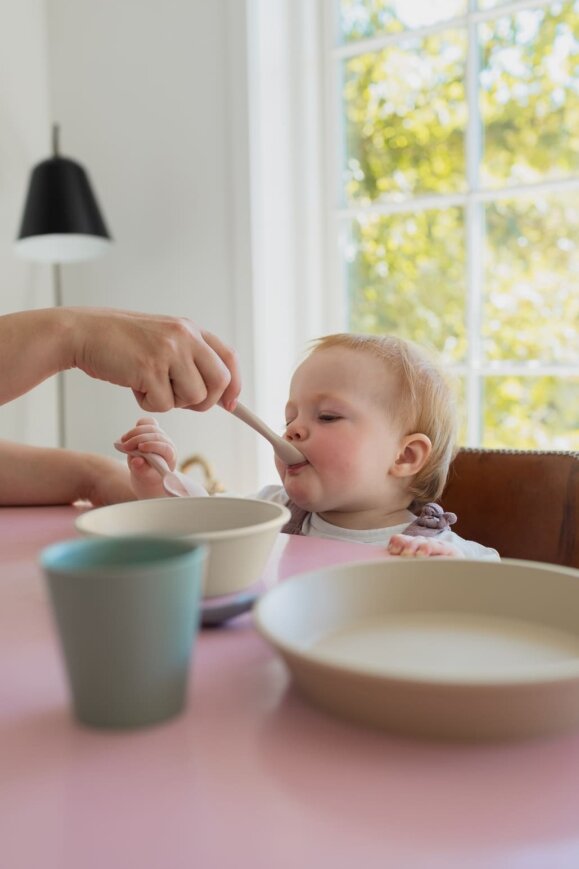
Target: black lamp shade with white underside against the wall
61	220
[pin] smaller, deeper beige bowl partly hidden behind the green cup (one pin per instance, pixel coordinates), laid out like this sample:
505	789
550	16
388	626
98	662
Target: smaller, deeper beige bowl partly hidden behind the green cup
240	532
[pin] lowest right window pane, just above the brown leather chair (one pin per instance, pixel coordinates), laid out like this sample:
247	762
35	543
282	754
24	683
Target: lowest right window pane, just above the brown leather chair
531	413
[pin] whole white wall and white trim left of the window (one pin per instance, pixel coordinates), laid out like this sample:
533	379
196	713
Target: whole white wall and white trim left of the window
152	97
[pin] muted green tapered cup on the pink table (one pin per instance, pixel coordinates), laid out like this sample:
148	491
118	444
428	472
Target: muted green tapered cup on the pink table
127	612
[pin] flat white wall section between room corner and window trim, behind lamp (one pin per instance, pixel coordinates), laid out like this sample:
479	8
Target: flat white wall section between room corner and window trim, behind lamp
152	99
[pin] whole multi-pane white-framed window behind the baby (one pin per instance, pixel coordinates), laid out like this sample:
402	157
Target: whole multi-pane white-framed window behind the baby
458	178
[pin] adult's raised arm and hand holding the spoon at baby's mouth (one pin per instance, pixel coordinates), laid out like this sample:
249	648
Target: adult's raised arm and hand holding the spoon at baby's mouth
167	361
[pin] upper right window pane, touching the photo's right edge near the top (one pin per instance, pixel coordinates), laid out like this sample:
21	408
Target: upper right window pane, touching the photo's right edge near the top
530	95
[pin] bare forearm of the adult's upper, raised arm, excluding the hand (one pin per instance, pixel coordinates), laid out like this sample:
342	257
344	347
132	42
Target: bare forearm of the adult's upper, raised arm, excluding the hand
34	345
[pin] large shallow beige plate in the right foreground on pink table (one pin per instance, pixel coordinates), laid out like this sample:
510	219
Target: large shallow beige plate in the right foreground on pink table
467	650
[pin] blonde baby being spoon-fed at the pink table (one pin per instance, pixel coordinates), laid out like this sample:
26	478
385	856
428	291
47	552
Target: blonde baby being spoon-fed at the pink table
375	420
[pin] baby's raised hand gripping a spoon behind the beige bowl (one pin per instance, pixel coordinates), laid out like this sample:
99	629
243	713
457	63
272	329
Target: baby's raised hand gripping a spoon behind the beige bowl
147	437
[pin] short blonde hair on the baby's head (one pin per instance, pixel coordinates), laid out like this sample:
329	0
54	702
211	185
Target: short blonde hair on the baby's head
426	402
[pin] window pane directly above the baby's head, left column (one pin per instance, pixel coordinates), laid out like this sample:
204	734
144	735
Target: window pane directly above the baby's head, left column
406	275
